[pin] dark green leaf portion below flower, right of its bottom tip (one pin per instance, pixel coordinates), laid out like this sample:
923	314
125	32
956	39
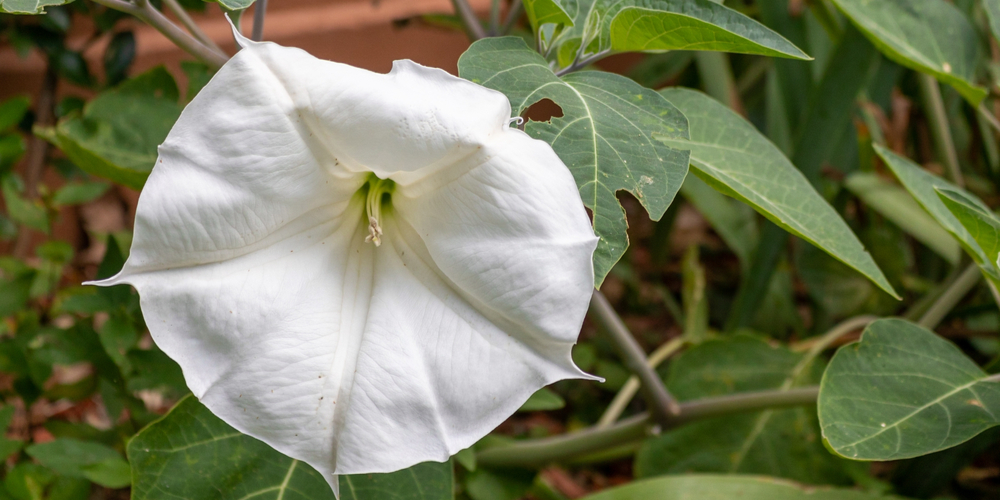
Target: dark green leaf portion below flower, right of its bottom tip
426	481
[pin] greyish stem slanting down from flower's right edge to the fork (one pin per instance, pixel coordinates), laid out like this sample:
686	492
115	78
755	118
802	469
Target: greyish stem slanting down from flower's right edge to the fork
661	403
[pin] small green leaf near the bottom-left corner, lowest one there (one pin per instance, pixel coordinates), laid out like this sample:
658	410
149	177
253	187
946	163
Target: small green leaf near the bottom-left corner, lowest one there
84	459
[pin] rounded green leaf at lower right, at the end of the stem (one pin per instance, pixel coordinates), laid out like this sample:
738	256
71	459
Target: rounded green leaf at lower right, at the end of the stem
903	392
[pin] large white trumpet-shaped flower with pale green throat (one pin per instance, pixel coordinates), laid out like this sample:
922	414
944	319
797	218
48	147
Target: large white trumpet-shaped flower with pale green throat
365	271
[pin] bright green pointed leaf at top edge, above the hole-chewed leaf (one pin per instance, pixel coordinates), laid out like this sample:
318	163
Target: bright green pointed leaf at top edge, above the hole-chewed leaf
695	25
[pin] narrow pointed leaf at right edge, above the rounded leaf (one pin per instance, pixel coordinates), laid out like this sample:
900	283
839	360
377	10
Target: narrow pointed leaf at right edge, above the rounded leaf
923	185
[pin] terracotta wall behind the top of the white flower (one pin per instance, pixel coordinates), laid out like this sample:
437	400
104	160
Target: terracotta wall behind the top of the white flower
366	33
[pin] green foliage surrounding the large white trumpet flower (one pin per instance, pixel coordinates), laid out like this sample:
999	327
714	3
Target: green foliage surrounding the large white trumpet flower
846	167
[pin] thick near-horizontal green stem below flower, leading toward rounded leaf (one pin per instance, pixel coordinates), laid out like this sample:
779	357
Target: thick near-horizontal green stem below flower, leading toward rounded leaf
540	452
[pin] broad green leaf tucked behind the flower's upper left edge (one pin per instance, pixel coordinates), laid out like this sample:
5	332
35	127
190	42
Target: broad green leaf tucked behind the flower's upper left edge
117	134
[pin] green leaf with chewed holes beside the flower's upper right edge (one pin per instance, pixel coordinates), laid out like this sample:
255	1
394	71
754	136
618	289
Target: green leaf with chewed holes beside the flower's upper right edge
605	135
